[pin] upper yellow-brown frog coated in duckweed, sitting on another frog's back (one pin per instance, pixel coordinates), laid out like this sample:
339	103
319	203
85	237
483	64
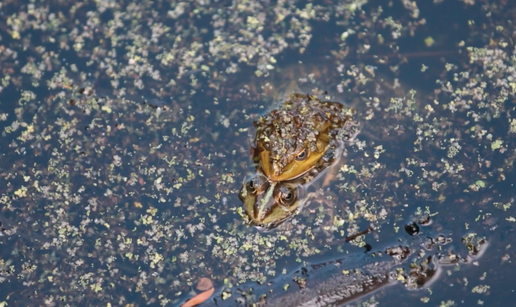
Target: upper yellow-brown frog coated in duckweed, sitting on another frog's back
292	139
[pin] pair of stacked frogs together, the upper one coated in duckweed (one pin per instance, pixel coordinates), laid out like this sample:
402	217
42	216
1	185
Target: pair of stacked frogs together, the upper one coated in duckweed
294	146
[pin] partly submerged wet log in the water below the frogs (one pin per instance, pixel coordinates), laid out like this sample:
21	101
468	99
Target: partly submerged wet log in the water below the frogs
343	280
